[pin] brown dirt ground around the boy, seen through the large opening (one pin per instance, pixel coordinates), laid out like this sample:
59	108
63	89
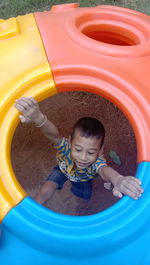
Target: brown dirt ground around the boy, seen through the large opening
33	155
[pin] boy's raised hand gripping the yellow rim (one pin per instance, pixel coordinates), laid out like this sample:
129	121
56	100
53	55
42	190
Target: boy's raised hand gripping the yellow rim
29	108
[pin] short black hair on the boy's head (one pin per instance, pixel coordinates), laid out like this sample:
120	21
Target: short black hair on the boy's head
89	127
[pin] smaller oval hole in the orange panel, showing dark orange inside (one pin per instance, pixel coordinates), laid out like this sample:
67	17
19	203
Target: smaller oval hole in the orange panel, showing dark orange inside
110	35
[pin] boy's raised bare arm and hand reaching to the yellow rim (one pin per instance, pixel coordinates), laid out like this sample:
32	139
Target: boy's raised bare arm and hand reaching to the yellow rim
30	112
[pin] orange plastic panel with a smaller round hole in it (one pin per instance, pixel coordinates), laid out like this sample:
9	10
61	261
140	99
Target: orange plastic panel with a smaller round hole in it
103	50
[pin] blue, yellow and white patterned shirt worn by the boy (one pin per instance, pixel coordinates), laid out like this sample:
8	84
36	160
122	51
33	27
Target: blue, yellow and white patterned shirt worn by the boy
66	163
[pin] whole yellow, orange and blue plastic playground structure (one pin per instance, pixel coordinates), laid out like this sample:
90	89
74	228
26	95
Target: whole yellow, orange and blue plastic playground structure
103	50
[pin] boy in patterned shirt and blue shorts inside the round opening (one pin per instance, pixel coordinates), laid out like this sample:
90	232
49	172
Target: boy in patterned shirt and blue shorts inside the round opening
80	158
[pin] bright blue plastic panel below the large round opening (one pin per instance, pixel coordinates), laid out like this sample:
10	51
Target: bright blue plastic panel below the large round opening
119	235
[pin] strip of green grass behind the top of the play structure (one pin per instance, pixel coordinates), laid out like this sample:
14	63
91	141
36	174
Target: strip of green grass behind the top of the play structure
12	8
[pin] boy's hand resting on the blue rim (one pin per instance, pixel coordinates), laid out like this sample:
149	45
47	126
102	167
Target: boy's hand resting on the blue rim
129	186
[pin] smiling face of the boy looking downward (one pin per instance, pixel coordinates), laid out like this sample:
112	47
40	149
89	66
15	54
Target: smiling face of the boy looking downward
84	151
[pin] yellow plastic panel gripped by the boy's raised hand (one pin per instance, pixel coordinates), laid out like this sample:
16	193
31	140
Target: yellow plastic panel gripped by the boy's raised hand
24	72
